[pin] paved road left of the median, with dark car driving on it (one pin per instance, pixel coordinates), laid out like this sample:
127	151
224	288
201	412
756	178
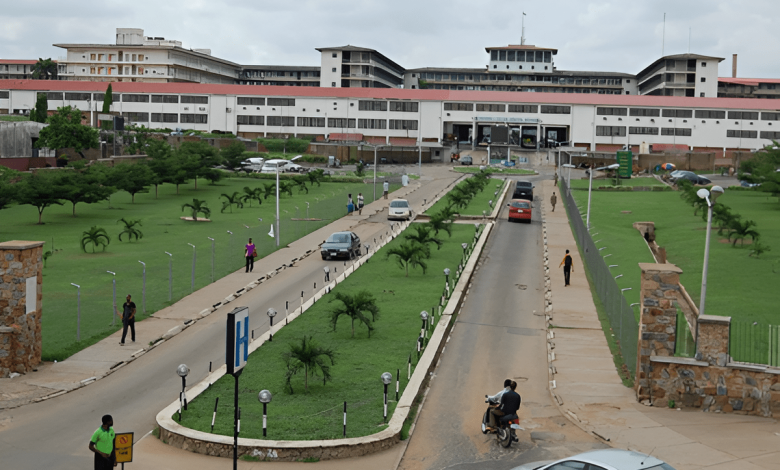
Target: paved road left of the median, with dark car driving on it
55	433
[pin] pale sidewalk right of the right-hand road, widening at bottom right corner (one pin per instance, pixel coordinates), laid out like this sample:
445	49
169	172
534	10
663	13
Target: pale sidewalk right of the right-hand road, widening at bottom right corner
593	397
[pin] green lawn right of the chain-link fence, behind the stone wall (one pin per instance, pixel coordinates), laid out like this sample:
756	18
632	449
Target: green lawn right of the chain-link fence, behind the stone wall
738	285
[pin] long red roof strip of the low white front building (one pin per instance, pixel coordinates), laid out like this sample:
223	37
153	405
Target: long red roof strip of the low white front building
397	94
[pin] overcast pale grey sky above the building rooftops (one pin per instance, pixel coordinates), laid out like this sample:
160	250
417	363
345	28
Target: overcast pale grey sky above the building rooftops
616	36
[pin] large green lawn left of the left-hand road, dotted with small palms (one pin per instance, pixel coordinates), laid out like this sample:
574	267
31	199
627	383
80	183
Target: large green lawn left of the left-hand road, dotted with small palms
162	231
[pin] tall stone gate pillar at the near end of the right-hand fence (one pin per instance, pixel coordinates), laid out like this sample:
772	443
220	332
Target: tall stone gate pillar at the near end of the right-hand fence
658	321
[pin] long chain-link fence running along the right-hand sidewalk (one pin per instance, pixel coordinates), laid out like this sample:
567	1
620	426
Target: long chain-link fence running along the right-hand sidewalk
621	317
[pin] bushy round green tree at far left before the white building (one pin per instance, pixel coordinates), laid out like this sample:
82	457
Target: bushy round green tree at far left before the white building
65	130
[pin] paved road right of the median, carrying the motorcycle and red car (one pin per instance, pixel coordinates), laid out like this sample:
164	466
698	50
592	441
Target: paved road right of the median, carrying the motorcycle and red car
496	336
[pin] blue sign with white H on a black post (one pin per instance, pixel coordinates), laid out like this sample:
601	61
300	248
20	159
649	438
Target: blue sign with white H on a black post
236	354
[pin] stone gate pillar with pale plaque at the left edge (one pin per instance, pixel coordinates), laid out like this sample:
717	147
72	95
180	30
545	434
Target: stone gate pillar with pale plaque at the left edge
21	294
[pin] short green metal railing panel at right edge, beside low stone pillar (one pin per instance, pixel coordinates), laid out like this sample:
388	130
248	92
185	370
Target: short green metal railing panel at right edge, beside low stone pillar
755	343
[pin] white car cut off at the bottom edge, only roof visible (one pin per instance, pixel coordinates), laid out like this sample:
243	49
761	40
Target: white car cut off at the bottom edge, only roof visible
604	459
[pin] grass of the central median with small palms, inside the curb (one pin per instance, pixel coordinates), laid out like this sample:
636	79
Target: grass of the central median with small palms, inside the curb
359	363
